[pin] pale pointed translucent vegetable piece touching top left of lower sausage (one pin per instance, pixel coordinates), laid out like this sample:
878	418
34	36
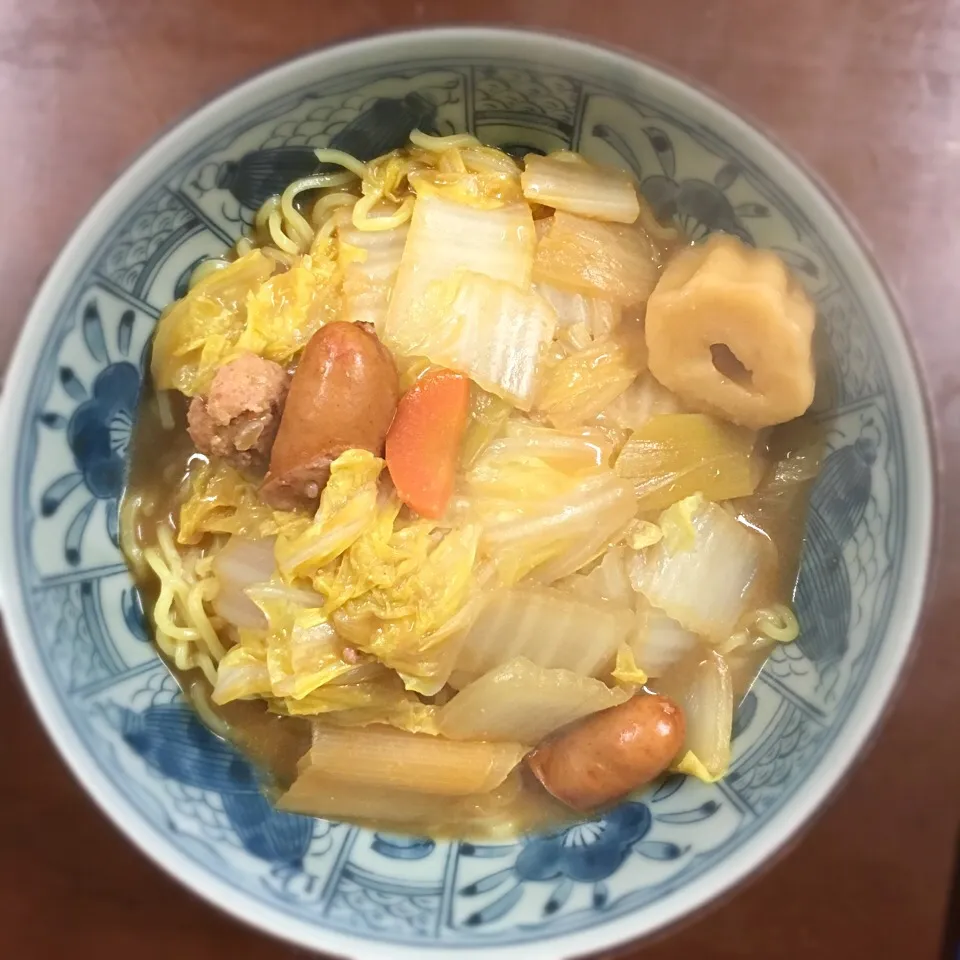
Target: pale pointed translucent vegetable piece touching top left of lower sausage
522	702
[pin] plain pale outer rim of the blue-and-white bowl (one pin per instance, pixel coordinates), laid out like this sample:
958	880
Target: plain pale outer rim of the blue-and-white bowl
758	850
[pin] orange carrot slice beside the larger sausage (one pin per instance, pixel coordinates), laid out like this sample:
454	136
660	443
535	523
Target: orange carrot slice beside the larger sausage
423	444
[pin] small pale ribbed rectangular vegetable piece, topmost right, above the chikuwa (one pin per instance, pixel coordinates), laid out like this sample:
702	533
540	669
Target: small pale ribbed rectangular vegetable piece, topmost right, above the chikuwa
580	187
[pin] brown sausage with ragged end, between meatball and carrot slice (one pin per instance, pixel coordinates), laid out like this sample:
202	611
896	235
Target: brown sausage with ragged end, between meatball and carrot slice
343	396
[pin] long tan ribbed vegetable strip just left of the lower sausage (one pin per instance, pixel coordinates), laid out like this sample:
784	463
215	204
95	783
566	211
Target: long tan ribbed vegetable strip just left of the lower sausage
392	759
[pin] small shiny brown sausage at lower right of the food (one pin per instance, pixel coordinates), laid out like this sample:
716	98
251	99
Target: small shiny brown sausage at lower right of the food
611	753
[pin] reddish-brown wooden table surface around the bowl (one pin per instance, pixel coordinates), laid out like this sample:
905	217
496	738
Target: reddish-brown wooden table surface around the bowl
866	91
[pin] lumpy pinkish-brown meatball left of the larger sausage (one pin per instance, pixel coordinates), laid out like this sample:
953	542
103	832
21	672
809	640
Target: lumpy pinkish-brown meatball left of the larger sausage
238	419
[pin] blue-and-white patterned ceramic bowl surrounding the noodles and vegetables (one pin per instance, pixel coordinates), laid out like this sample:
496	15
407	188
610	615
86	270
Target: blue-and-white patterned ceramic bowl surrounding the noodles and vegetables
188	800
